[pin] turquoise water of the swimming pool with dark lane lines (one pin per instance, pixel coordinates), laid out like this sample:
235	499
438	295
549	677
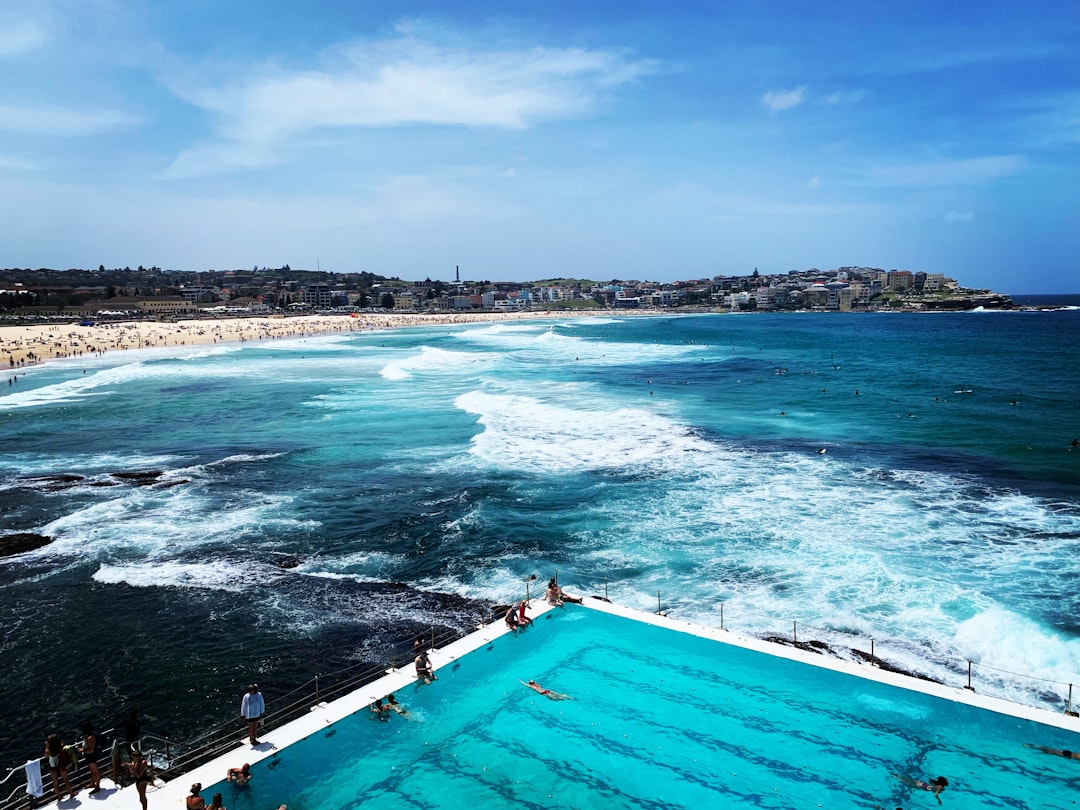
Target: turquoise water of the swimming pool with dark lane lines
660	720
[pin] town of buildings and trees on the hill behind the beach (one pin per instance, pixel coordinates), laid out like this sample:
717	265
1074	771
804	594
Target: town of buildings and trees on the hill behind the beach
156	293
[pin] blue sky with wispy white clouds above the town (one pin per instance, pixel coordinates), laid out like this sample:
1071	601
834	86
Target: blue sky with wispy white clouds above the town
530	141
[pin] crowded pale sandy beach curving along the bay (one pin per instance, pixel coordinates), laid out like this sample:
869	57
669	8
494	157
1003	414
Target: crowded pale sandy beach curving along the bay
23	346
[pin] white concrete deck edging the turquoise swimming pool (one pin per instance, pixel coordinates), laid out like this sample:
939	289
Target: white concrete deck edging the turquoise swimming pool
170	795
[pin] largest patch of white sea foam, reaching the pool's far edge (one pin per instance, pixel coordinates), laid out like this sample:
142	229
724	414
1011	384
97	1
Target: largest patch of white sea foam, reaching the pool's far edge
775	536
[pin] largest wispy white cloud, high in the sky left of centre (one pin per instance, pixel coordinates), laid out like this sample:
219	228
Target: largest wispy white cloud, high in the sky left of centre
269	110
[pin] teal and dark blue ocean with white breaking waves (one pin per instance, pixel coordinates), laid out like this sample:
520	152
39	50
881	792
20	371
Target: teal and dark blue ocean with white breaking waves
272	511
